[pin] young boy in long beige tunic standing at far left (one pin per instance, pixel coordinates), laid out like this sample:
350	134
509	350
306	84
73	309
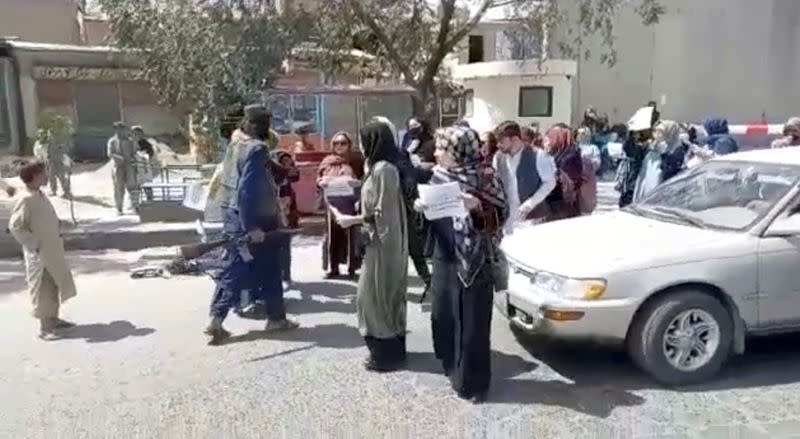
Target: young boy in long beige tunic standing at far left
34	224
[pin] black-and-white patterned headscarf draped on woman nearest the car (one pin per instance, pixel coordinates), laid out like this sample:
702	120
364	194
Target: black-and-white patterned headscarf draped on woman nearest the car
464	145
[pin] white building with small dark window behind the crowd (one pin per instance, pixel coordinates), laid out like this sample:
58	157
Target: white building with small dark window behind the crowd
504	79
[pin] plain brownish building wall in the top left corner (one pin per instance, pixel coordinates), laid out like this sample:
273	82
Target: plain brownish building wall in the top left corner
48	21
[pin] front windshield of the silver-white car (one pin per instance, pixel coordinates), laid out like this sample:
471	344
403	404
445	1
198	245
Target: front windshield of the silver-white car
728	195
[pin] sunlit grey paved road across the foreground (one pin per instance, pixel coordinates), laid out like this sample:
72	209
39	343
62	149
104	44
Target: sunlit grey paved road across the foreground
138	367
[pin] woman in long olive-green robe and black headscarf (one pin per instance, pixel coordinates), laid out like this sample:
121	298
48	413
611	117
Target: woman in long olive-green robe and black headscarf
381	297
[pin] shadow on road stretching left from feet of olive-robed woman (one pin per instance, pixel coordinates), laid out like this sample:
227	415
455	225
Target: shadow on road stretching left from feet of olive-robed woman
336	336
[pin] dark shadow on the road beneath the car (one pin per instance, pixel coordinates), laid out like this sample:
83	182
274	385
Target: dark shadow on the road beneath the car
768	361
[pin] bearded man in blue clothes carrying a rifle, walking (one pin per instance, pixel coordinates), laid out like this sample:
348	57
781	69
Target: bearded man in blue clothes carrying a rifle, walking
250	207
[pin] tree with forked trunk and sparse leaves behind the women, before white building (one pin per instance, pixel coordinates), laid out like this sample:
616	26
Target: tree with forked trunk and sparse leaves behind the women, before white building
412	38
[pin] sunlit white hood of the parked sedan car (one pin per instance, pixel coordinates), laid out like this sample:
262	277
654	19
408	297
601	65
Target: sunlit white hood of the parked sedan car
593	246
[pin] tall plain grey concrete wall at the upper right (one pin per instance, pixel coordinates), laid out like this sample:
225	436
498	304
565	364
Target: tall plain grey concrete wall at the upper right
734	58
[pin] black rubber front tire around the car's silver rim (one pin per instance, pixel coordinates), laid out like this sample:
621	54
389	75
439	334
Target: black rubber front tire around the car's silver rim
646	338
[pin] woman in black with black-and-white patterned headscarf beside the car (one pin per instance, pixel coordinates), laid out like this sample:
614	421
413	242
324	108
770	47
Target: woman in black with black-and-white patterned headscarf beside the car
464	250
